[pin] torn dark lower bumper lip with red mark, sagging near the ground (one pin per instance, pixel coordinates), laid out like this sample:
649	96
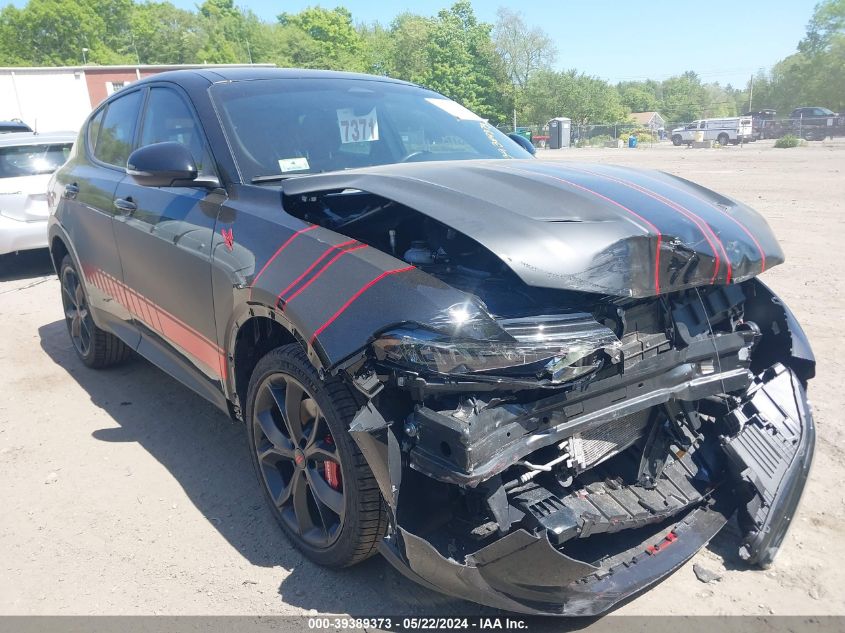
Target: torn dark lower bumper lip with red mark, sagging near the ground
525	574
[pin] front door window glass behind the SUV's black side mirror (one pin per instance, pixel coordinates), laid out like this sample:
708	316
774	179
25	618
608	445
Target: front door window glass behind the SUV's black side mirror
169	119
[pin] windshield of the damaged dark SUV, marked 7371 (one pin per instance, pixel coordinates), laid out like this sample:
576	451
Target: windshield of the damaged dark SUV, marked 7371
286	127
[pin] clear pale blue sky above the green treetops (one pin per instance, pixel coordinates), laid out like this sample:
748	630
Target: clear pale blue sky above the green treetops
722	40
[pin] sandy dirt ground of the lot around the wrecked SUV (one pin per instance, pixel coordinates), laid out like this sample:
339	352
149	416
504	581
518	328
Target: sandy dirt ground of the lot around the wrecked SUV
121	492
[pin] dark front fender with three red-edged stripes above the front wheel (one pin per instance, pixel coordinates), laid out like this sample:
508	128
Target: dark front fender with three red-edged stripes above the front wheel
323	286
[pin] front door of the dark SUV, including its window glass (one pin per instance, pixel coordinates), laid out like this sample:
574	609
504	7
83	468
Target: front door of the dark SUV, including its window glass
165	239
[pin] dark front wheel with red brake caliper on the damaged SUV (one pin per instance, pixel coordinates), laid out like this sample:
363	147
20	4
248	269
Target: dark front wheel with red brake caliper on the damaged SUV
315	479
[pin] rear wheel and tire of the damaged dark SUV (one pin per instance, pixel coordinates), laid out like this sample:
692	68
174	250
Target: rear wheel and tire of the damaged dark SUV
96	348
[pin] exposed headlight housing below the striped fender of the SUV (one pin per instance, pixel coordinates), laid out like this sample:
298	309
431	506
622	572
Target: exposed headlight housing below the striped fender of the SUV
557	348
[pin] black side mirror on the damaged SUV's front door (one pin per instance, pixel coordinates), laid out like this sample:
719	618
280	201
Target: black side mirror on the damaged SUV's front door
163	165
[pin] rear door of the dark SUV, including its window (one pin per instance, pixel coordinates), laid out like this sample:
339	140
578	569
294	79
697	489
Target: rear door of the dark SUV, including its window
86	186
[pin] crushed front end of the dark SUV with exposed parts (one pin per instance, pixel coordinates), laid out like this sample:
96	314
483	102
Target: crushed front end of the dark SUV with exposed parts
560	462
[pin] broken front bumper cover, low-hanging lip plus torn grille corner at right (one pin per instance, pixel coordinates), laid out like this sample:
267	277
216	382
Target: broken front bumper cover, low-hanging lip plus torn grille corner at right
768	460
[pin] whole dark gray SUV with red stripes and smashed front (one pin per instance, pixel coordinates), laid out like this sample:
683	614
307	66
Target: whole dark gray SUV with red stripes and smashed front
540	386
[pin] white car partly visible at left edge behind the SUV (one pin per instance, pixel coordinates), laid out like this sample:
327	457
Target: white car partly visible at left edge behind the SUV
26	162
